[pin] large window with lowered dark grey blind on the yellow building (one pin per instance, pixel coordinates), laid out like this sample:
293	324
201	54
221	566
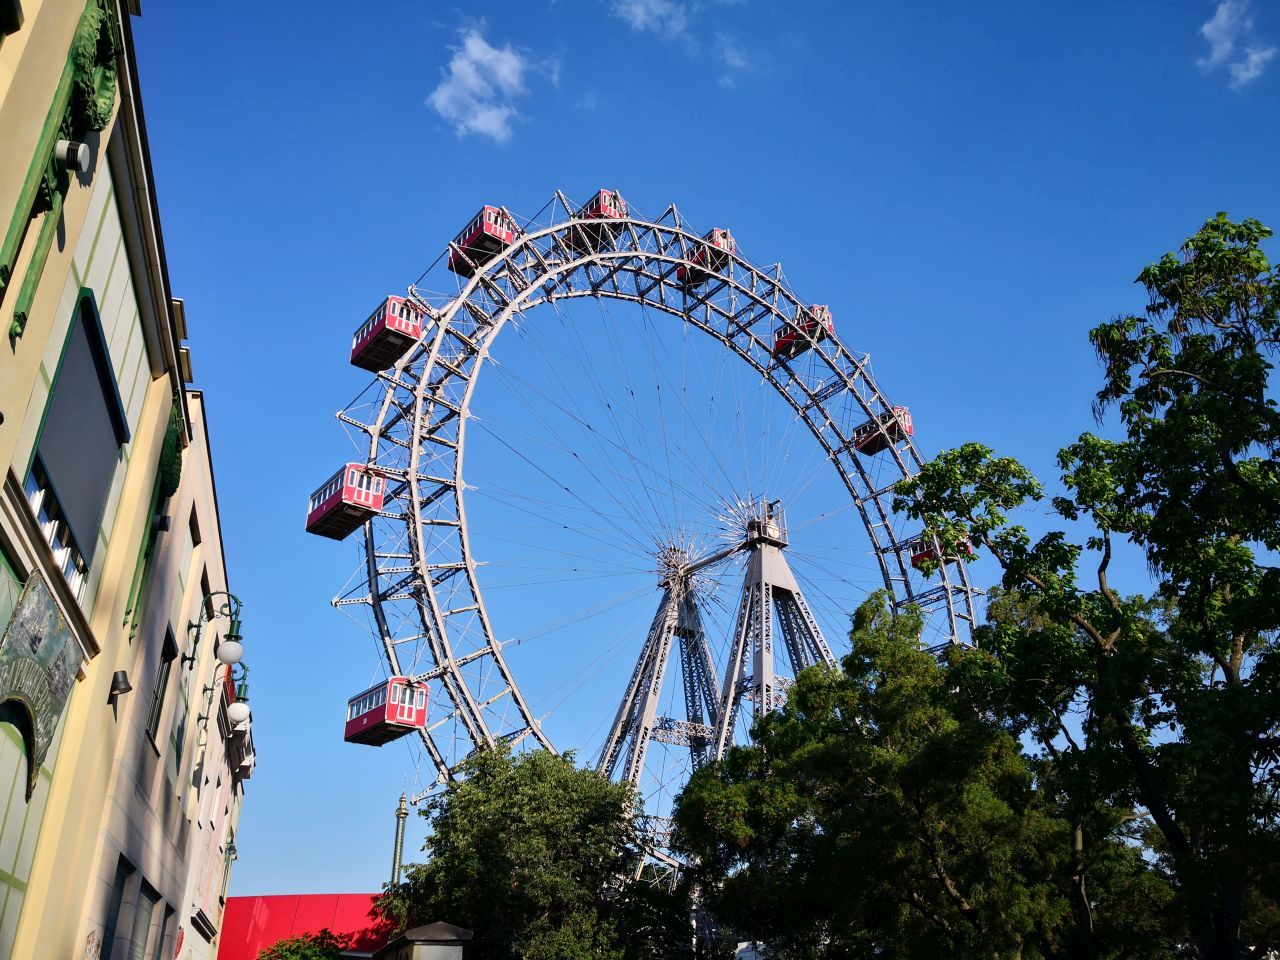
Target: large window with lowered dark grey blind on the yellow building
81	437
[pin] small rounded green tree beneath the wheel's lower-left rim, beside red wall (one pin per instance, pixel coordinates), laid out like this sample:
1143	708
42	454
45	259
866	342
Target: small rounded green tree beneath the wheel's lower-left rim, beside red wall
529	852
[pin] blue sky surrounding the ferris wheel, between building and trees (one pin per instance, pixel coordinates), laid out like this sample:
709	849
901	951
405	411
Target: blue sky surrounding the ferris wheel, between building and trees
971	188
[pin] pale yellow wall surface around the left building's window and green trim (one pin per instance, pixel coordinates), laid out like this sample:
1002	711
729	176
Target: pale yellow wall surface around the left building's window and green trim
100	793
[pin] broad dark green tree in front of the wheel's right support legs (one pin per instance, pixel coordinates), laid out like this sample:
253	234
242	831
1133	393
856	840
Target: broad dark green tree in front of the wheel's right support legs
879	816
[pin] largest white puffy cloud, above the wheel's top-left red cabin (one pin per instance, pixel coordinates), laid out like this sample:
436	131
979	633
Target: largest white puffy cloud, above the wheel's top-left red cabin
479	88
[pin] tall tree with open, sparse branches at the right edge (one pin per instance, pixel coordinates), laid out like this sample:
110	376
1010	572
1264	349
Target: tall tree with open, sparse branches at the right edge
1177	696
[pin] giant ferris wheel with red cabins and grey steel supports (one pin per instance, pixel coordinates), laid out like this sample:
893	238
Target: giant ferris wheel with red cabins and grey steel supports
669	417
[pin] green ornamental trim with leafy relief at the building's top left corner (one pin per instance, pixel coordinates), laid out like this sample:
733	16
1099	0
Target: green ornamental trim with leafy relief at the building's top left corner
83	103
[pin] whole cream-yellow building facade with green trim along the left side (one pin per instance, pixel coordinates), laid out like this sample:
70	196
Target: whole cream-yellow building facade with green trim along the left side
122	762
